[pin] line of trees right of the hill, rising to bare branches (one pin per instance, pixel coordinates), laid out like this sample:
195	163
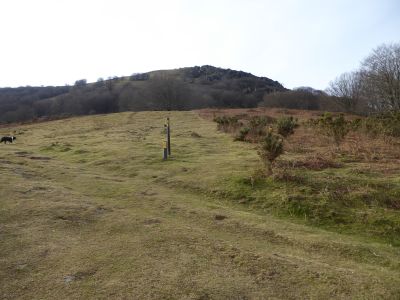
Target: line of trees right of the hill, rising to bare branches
373	88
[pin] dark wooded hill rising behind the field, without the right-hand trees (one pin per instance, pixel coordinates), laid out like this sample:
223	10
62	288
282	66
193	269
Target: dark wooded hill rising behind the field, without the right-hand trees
181	89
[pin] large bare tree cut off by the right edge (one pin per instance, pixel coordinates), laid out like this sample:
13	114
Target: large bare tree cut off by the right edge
381	77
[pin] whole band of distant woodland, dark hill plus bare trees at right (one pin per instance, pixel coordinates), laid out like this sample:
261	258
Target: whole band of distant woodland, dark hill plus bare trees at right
375	87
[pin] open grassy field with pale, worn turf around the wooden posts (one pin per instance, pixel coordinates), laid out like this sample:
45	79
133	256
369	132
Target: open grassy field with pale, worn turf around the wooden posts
88	209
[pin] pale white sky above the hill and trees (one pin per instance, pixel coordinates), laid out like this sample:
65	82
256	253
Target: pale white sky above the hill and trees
298	43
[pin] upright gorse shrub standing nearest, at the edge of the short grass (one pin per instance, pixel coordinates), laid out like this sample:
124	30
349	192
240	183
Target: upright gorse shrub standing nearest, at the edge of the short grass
271	147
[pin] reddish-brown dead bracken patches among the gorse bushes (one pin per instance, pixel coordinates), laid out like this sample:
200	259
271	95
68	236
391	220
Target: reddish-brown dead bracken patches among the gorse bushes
314	151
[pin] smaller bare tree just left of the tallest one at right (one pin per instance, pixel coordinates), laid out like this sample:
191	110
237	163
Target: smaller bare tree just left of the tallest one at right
347	90
